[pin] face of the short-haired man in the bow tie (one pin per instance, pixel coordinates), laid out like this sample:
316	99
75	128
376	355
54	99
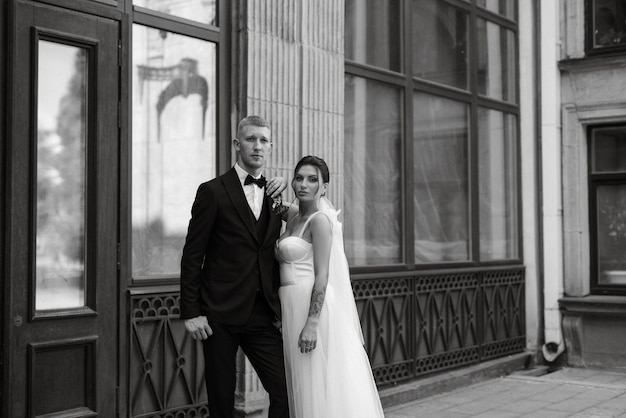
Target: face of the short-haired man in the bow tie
253	146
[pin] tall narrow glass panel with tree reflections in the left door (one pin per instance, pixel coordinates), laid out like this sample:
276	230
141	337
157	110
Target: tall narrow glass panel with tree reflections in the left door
60	210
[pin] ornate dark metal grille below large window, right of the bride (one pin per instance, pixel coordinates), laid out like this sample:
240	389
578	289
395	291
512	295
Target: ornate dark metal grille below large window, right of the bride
428	323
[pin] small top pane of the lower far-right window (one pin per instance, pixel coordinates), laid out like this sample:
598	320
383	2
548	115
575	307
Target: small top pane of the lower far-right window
609	150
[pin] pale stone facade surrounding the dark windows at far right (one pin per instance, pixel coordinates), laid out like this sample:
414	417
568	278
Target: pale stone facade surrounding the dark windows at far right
589	96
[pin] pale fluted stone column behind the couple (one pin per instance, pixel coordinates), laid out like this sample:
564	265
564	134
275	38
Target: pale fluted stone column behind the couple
288	66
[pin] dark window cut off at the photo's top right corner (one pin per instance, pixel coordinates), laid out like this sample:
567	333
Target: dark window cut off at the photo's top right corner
606	26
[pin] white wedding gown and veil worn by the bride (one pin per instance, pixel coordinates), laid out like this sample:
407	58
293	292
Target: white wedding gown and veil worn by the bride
335	379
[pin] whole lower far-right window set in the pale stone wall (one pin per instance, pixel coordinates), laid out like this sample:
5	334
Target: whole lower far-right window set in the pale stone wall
607	194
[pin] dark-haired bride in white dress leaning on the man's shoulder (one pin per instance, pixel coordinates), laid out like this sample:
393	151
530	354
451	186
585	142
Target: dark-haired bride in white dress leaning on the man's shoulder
328	371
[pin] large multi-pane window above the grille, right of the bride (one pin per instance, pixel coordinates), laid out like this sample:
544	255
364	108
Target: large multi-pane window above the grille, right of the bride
431	125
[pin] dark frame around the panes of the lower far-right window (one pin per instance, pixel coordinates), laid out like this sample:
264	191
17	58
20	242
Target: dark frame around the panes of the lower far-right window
596	180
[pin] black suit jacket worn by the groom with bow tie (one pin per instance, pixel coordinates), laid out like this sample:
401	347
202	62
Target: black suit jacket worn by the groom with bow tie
224	262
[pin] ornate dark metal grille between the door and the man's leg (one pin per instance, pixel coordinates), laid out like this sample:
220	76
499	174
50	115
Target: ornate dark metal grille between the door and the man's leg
166	365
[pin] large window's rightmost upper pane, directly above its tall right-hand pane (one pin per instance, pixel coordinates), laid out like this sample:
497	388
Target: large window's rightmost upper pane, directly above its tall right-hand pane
496	61
